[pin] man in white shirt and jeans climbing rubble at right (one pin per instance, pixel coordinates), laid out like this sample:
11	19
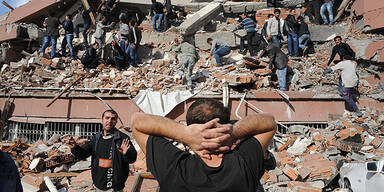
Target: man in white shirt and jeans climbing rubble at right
348	82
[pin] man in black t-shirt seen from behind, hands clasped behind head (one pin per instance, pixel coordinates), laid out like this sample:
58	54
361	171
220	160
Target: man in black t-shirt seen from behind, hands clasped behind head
213	167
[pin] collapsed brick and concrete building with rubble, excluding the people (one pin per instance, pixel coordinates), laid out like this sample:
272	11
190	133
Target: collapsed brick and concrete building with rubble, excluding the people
45	101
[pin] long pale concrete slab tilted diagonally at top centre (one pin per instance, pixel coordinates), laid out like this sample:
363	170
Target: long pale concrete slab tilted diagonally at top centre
200	19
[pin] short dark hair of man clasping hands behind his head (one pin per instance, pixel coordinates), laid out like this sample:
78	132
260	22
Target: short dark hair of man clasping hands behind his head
204	110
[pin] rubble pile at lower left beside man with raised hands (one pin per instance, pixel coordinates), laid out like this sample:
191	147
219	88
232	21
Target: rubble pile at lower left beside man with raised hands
46	164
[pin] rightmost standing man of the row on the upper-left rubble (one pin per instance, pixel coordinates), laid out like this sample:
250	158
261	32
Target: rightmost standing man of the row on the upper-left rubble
134	42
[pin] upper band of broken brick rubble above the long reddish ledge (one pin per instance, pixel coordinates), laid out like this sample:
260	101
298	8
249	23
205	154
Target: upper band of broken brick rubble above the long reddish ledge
35	73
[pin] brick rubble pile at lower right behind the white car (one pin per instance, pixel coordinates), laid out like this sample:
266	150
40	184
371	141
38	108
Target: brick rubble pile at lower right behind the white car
309	159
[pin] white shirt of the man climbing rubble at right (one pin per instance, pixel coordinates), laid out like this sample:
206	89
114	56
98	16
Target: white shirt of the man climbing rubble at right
348	73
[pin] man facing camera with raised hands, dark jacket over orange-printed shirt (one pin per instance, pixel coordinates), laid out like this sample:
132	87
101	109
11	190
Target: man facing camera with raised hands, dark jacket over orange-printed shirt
111	151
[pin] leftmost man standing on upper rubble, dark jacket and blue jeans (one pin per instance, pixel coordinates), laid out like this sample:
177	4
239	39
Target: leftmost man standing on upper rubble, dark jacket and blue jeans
52	33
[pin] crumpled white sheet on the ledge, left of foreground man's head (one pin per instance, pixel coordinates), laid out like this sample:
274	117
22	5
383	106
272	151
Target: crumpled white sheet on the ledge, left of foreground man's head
154	103
